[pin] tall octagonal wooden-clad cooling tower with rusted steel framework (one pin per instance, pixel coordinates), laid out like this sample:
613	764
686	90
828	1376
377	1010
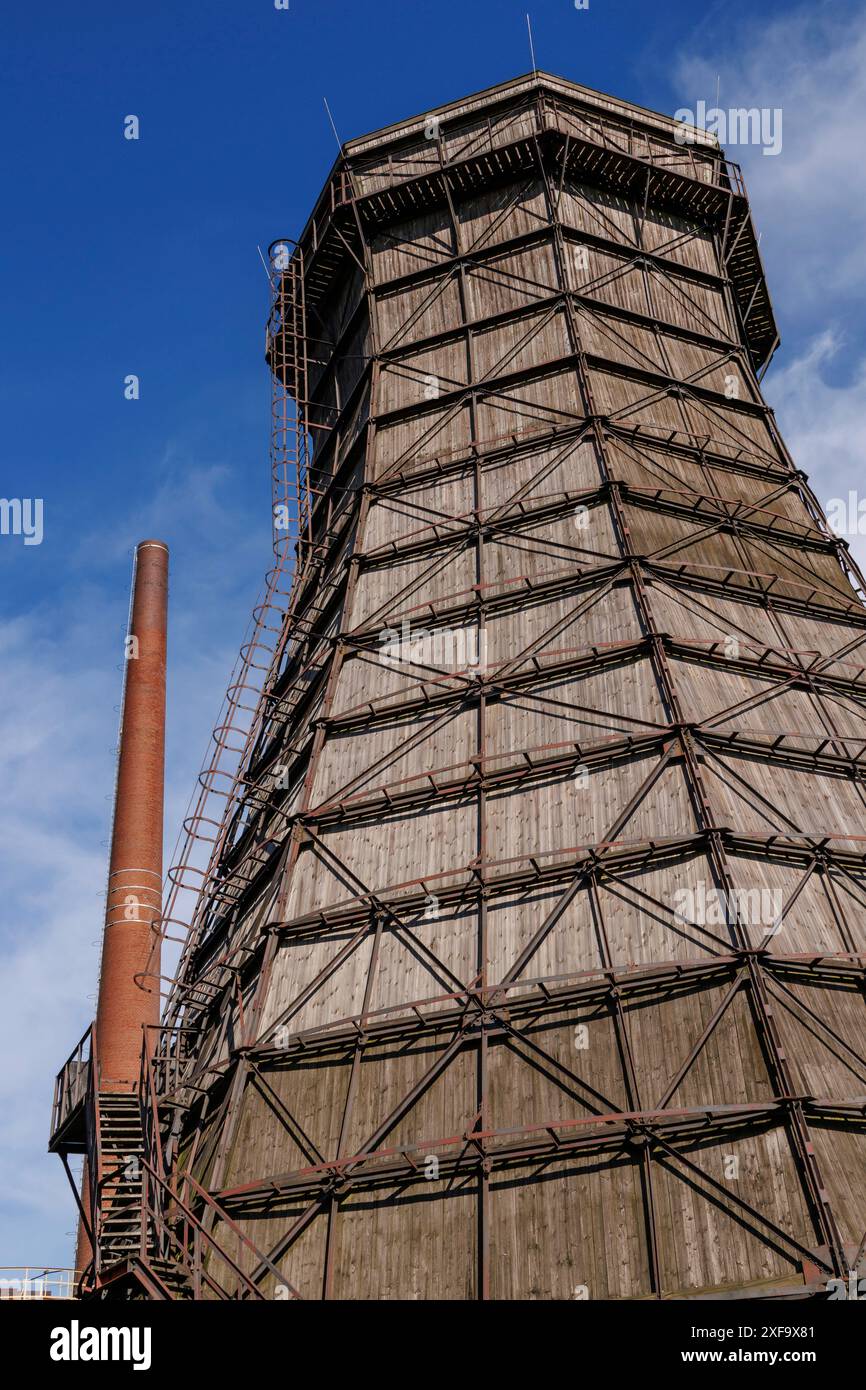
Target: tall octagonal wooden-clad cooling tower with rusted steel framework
529	961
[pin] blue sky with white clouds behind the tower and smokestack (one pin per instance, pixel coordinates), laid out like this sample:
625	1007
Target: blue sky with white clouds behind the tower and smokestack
141	258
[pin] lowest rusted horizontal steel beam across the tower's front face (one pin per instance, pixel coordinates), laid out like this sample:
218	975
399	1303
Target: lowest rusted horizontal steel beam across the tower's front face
516	1143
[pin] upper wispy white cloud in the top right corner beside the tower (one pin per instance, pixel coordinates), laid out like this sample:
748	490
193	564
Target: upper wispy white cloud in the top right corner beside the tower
810	201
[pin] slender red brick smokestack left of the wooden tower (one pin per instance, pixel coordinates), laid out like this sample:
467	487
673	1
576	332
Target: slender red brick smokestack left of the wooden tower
129	985
